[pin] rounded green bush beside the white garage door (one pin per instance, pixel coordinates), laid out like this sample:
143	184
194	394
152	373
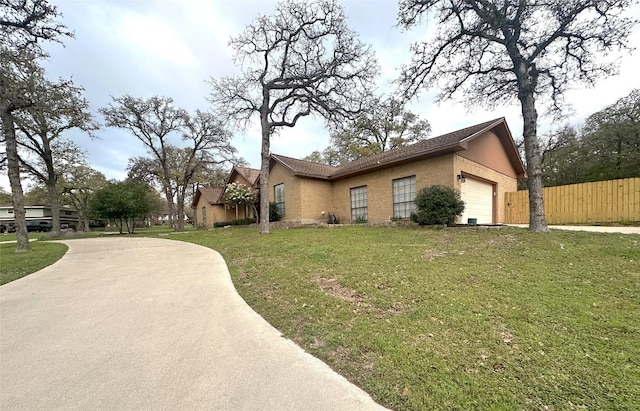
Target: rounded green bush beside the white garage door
437	205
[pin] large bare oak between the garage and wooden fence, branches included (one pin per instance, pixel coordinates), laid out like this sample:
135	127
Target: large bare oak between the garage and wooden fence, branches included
531	51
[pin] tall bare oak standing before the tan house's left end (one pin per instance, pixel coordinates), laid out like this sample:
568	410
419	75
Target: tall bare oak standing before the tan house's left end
300	61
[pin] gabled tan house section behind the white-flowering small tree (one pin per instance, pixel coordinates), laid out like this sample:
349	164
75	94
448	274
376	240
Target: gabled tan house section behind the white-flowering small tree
209	205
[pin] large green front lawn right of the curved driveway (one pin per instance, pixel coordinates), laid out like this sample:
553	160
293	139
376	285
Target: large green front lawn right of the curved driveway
456	318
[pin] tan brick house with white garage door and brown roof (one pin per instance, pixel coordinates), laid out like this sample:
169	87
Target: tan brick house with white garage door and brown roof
481	161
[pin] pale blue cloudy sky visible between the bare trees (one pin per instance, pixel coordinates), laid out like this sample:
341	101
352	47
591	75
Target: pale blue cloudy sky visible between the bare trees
172	47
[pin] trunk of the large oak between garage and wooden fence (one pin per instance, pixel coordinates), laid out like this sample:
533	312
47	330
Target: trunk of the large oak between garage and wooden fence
537	220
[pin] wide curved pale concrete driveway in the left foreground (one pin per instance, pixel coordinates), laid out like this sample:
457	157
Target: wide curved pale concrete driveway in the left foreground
151	324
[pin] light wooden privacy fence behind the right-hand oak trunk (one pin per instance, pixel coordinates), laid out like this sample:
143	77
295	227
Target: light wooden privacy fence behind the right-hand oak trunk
599	202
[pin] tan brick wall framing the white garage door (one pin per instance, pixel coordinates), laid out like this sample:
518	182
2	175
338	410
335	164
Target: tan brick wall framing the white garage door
503	183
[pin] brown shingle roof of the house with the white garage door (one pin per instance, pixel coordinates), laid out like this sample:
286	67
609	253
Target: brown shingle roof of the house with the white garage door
449	142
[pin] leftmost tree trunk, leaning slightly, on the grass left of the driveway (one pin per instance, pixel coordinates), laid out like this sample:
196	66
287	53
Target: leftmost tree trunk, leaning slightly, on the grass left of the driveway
13	164
